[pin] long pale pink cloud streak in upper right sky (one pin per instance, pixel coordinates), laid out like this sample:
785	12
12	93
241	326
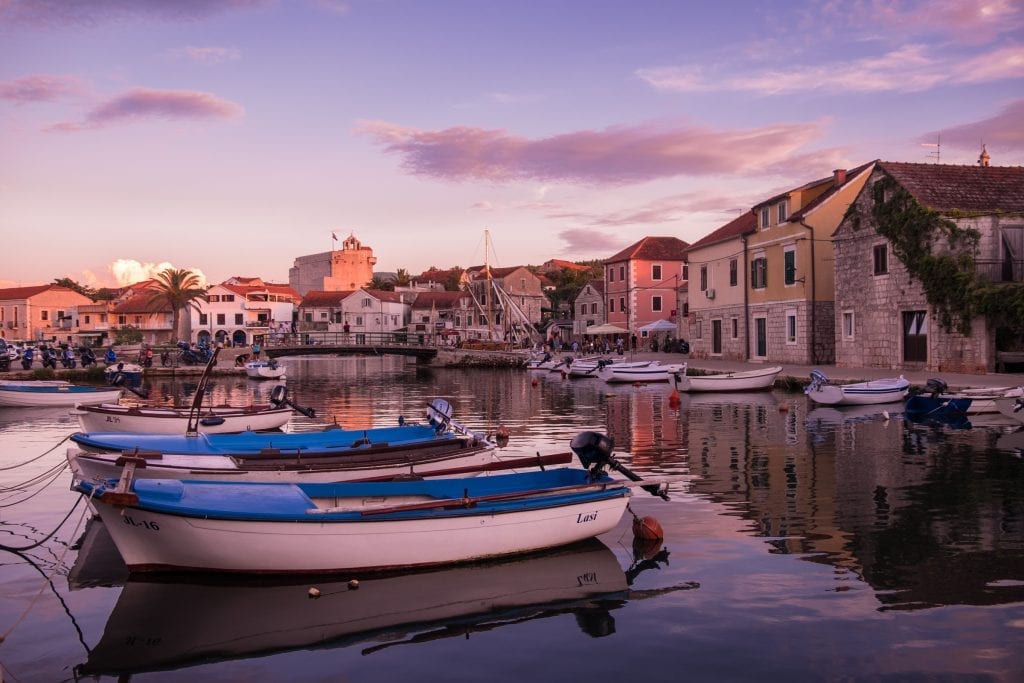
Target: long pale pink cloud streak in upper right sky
913	68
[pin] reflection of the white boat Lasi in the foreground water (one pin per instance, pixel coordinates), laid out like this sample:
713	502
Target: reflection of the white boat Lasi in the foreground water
191	623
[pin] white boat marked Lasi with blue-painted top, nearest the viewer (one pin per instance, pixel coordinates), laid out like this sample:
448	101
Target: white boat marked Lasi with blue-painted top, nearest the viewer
182	538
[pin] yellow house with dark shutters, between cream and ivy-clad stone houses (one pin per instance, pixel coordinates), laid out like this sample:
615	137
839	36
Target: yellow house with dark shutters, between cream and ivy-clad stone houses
791	280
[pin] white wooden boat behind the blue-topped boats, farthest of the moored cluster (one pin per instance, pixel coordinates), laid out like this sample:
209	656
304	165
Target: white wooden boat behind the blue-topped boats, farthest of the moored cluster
169	420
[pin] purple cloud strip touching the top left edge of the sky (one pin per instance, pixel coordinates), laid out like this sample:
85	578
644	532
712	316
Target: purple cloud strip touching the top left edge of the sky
68	13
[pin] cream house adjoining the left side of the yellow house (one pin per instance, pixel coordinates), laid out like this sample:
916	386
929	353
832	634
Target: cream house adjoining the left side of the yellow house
717	314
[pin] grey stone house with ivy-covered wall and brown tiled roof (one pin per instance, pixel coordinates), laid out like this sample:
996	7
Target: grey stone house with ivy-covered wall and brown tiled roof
884	316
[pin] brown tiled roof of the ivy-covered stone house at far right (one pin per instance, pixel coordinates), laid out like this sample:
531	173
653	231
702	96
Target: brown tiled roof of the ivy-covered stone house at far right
947	188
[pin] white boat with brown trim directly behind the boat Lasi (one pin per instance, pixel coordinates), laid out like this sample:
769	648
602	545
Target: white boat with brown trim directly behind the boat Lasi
450	458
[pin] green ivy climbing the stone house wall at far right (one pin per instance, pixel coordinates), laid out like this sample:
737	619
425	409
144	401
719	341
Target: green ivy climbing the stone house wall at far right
941	255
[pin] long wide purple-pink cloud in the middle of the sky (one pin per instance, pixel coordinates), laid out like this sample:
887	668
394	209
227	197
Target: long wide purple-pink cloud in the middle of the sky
618	155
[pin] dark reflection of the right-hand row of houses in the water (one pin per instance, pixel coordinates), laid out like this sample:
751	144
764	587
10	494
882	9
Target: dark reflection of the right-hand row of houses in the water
924	515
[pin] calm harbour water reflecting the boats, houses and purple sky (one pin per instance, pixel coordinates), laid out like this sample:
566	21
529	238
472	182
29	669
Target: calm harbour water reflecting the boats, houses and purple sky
803	545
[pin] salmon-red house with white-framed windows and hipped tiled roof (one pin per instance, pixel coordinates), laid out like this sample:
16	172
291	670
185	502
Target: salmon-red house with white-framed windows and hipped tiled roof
642	283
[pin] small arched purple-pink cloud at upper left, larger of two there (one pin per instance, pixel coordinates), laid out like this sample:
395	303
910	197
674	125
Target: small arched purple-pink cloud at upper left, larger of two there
148	104
